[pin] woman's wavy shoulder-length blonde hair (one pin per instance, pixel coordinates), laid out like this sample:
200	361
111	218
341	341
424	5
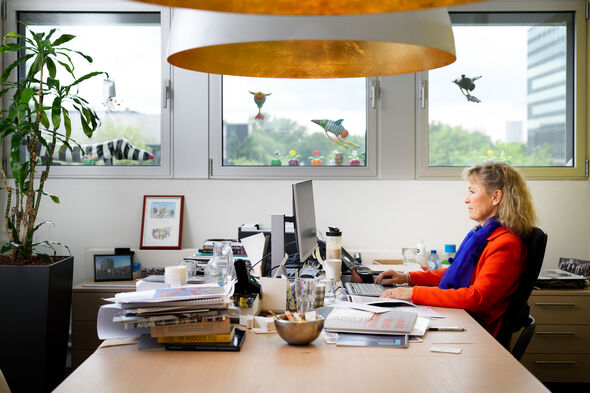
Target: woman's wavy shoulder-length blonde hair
516	210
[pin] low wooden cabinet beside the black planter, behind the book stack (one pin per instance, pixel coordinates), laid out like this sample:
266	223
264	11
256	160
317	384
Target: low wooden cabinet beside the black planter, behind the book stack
85	304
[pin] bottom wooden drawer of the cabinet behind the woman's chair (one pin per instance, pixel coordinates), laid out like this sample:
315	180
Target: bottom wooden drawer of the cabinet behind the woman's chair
558	367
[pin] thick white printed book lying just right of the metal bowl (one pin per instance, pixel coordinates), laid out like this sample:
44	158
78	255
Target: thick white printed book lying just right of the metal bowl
356	321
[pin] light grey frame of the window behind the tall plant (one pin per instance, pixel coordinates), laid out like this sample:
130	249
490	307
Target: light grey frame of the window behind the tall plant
164	170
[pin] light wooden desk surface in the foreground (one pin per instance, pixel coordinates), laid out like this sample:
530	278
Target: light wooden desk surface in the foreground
267	364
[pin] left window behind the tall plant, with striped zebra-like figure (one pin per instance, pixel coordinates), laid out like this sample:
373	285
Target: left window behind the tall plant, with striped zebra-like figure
127	44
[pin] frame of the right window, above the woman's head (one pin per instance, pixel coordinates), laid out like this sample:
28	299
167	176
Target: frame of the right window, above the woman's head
579	170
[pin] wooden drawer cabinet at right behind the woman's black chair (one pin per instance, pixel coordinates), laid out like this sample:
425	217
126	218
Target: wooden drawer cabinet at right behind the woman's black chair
560	348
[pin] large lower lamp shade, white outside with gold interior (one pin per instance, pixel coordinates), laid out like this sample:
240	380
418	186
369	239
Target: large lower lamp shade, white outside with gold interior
311	46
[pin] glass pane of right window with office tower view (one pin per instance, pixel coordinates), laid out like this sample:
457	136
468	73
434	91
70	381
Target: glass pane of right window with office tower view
509	94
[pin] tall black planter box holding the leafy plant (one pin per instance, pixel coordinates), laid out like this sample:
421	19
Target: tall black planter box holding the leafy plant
35	304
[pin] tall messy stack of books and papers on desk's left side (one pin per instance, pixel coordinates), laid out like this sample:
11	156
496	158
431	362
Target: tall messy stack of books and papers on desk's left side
184	318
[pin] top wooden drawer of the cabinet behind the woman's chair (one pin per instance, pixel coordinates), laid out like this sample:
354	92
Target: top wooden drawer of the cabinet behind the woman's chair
560	309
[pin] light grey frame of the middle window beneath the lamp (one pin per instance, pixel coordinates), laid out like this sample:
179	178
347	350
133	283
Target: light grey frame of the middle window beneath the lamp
217	170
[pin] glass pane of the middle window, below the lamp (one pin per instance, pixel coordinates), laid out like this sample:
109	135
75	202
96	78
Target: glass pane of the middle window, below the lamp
290	122
